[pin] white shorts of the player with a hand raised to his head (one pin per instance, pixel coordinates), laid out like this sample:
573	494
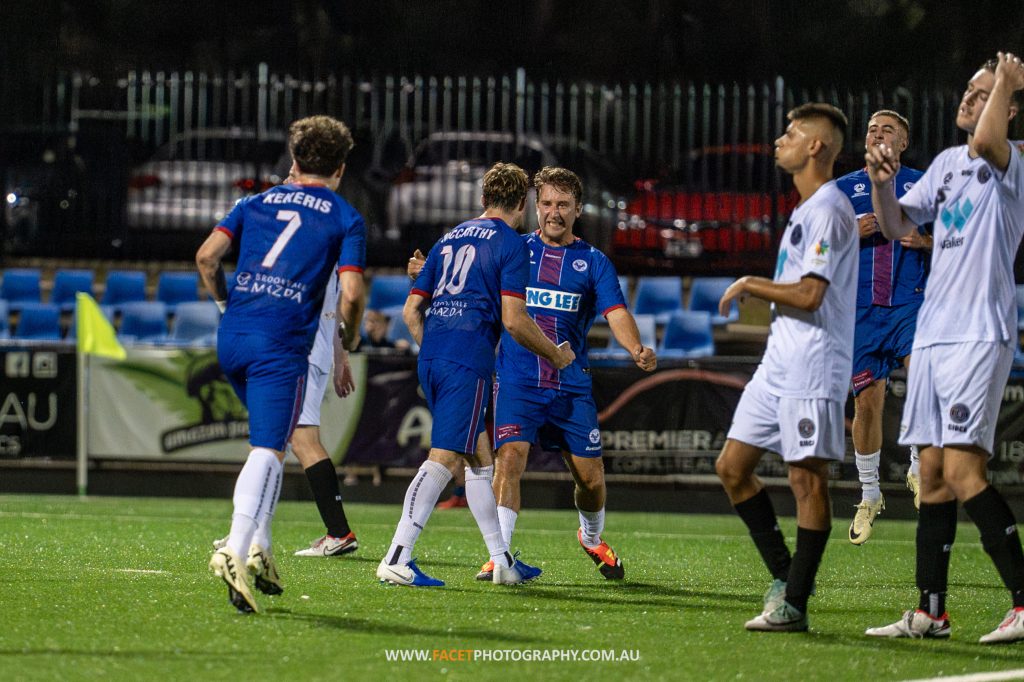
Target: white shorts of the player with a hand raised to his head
954	395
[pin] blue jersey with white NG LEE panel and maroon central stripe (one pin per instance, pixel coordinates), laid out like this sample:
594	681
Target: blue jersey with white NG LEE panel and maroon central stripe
569	286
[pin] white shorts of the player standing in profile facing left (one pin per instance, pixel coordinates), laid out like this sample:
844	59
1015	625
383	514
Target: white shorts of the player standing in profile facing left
796	429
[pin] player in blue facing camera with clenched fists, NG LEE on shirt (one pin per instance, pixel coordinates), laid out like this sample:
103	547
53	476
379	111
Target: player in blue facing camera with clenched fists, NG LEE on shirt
571	283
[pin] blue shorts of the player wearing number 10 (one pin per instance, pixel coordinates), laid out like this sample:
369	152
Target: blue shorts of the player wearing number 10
458	401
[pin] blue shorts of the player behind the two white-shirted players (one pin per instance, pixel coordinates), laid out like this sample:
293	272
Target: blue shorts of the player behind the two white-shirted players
882	338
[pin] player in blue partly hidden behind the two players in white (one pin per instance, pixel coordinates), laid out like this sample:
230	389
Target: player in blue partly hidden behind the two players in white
890	290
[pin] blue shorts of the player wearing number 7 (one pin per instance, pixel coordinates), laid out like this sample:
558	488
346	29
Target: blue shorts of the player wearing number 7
270	378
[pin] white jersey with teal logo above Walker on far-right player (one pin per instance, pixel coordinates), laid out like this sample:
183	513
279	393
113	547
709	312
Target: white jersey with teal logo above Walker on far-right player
979	219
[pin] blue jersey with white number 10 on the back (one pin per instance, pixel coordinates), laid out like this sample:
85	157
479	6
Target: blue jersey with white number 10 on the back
466	275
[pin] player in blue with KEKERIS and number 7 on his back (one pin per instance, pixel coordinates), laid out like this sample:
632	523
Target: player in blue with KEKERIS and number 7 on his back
291	240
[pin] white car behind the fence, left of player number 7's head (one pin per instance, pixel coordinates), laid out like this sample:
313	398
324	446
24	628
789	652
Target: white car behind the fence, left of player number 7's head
196	180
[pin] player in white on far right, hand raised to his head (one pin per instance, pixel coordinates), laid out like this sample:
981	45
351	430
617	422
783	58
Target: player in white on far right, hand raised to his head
964	347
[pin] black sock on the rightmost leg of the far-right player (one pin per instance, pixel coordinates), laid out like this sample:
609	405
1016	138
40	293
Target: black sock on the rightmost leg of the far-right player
1000	538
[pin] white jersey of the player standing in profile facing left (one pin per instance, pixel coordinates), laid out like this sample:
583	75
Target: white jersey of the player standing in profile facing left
810	355
